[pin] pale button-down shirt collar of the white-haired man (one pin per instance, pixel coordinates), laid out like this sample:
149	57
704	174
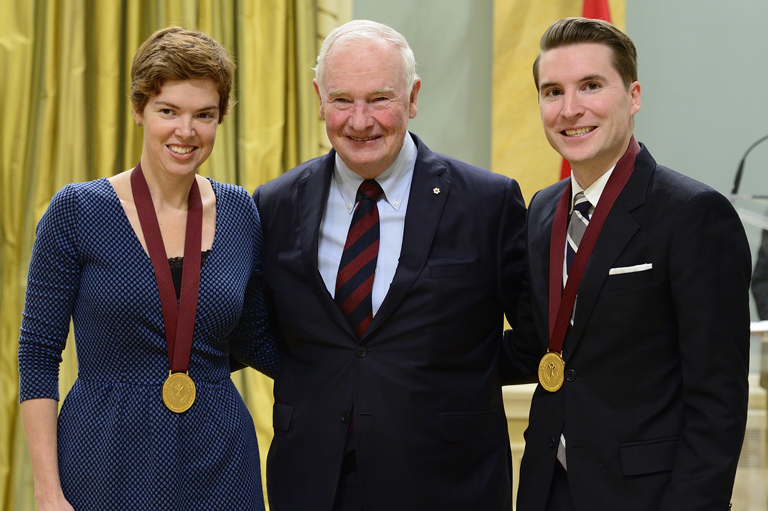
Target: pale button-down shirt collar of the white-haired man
395	181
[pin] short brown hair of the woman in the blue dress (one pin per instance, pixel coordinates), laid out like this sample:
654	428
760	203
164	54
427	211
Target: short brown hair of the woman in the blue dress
174	53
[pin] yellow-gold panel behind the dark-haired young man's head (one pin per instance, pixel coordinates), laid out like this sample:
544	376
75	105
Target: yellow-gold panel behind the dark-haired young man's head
518	146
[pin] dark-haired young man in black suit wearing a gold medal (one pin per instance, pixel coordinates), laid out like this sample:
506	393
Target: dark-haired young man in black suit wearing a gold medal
639	304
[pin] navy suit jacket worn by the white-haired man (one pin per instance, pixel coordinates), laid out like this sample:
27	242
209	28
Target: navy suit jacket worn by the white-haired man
429	422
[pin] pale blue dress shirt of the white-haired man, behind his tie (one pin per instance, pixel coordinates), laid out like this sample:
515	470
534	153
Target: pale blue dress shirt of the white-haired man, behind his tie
340	206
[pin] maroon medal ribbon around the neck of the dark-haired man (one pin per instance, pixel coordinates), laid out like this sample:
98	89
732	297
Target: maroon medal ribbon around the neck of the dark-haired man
561	301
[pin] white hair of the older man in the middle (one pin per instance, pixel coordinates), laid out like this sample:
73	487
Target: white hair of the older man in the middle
365	31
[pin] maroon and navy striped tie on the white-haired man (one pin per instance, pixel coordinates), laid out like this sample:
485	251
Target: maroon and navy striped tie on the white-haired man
354	281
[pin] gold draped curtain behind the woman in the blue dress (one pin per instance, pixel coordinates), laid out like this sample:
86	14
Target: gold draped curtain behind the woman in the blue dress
65	117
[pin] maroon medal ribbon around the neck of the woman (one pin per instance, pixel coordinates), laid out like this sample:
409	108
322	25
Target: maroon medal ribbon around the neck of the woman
178	317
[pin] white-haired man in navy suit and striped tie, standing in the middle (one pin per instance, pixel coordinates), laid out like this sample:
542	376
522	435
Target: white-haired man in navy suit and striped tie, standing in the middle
389	269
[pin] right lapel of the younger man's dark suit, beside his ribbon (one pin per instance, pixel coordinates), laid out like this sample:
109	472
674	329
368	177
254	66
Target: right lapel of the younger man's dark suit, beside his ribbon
619	229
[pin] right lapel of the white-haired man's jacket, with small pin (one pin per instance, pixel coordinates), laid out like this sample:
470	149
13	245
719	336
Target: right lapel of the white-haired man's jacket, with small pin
429	191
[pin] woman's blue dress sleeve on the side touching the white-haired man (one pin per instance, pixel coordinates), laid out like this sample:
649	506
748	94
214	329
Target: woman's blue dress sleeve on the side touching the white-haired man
252	341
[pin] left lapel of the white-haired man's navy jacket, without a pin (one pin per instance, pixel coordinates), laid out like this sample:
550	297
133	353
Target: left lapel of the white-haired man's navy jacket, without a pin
312	194
